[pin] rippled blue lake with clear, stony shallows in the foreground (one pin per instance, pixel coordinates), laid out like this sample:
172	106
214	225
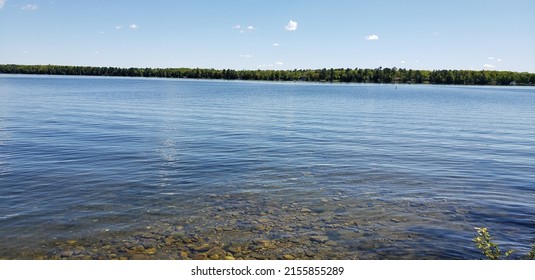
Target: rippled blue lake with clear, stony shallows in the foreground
133	168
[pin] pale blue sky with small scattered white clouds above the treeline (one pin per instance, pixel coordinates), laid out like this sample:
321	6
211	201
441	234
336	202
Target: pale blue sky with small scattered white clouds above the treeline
275	34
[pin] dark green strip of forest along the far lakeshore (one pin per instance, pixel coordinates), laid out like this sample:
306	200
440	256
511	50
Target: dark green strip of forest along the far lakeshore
357	75
